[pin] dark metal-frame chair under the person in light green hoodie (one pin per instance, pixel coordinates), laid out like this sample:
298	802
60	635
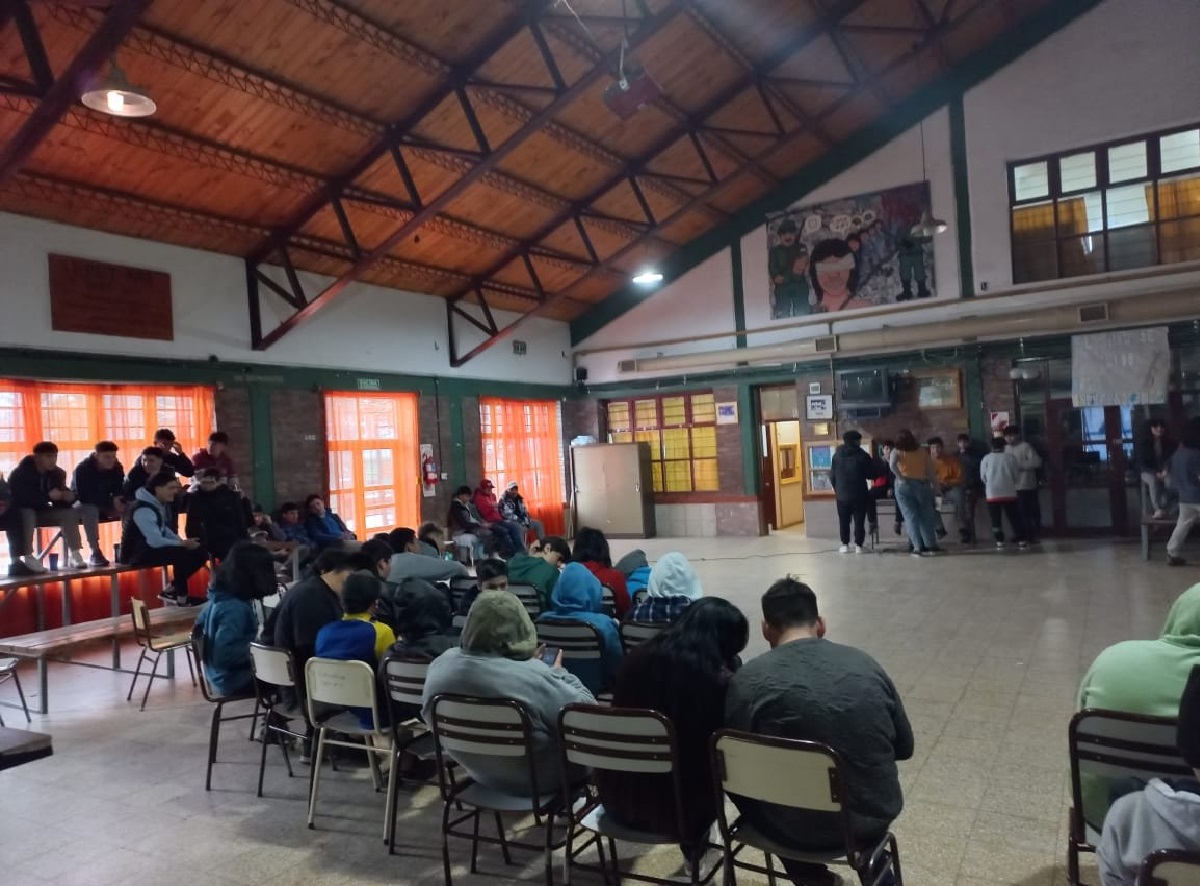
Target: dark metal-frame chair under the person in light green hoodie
1114	745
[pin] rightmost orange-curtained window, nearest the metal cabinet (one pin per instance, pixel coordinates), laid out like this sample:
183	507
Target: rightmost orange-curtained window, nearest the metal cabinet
523	441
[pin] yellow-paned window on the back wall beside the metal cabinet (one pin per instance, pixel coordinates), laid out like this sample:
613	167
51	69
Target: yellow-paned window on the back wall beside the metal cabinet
682	433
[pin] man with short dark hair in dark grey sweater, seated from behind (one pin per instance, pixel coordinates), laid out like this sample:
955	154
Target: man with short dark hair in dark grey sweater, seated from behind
807	687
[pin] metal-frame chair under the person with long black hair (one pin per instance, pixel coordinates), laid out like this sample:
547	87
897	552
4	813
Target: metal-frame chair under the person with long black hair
634	741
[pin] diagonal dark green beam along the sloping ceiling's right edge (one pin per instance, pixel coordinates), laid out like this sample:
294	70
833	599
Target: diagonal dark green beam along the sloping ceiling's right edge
868	140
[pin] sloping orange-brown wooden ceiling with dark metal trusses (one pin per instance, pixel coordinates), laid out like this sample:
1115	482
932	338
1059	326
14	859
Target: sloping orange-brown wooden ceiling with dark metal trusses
461	149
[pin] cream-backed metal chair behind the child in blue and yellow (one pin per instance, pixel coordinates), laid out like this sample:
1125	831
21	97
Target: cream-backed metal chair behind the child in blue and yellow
345	685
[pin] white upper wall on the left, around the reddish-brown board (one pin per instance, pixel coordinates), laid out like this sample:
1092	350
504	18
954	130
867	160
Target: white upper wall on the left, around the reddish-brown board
368	328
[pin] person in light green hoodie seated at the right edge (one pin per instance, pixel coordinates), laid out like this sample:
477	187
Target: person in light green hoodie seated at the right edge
1143	678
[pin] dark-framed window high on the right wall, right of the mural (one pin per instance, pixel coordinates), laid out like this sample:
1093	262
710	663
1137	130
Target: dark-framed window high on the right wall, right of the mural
1115	207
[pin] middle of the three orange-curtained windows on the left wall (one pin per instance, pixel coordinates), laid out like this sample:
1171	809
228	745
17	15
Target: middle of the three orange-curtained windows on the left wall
374	462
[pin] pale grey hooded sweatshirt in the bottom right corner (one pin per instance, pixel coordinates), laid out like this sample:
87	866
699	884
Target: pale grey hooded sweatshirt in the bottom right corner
1161	817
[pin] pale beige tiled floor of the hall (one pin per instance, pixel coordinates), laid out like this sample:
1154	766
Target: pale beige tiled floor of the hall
987	651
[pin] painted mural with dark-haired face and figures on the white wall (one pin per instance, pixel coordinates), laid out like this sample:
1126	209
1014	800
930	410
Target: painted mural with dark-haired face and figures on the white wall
850	254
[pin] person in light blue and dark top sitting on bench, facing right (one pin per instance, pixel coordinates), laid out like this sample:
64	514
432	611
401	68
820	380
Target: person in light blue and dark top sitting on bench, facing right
147	538
